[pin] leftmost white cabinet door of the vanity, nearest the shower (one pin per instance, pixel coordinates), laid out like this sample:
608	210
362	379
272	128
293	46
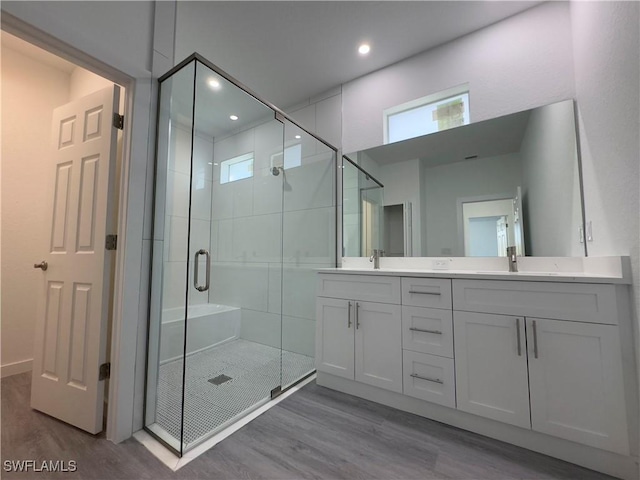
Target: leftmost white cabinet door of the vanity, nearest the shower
334	336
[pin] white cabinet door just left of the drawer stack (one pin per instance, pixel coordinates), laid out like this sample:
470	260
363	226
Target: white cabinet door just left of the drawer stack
379	345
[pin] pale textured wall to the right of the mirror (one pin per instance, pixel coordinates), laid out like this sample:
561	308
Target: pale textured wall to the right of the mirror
606	43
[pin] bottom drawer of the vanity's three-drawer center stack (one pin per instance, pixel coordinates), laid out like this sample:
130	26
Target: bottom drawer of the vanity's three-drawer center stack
429	378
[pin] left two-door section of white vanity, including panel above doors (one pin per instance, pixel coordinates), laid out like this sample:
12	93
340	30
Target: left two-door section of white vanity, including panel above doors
360	340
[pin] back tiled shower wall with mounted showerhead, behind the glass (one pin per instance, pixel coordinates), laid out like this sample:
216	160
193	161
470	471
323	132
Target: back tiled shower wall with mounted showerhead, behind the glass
250	236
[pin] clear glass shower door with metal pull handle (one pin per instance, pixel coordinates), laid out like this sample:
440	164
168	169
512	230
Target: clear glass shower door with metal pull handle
234	326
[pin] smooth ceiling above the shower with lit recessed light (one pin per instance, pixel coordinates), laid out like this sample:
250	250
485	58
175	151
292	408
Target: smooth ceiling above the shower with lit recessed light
290	51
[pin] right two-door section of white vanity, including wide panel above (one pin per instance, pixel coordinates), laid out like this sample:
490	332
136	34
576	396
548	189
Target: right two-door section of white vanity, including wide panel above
559	377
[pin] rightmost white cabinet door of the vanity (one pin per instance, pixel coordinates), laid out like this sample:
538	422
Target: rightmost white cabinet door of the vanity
577	390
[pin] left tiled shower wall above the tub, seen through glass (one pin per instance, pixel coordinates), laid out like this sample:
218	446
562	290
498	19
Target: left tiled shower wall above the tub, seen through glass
177	215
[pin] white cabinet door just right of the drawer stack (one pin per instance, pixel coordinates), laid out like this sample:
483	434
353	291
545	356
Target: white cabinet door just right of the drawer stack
491	367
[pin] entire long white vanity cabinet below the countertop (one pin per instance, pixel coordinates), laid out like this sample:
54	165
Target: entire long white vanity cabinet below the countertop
548	359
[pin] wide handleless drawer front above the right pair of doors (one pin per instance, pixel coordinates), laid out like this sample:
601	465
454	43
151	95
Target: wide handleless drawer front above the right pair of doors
581	302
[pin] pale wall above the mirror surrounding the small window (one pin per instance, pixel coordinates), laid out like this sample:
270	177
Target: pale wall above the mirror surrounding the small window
509	66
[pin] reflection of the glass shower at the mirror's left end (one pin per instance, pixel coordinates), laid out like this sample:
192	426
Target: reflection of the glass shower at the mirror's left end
362	211
